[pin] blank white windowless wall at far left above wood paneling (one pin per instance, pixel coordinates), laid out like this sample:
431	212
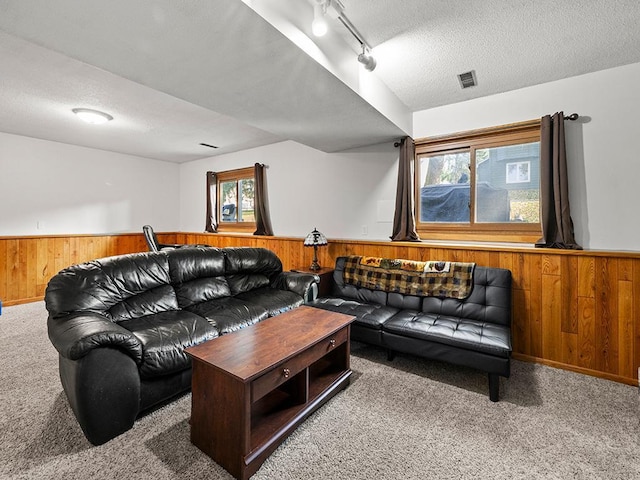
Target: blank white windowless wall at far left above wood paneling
55	188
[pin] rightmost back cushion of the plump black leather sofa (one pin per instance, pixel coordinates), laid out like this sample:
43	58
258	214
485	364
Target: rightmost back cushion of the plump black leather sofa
248	268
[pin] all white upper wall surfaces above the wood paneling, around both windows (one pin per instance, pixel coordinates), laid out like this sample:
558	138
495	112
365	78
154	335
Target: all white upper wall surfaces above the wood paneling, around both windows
78	190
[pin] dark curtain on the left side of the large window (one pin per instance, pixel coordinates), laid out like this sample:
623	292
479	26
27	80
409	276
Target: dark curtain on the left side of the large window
404	222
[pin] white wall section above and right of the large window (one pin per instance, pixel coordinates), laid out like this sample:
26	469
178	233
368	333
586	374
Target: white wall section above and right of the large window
602	152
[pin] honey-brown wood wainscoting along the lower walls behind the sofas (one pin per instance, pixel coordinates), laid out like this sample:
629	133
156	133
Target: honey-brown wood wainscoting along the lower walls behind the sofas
577	310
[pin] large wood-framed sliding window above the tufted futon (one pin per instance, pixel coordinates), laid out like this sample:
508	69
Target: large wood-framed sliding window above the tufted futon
482	185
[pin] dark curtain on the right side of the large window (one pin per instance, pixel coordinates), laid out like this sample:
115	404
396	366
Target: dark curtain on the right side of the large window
557	226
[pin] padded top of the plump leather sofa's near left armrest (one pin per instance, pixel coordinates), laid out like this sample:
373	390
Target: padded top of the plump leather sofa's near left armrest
76	335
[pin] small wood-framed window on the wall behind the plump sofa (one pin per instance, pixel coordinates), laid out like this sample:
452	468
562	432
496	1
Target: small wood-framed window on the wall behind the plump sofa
236	190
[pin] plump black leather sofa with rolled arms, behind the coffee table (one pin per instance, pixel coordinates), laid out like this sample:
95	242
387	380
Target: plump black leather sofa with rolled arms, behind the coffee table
121	324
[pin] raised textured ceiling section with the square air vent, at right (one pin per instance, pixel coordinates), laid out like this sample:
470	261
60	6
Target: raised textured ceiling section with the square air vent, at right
422	45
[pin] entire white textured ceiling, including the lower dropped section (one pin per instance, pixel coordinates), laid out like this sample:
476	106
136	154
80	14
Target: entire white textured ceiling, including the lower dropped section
224	72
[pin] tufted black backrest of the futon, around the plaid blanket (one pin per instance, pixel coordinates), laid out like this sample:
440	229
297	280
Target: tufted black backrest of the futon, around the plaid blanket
490	298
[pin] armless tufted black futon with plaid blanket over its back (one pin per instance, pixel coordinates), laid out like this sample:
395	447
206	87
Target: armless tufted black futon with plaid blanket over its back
474	332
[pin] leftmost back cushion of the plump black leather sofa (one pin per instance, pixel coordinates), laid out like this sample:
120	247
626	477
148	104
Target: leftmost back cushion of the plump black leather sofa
120	287
